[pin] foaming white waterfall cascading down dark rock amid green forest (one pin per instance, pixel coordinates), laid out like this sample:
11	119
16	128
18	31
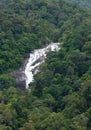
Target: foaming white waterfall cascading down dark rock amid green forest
36	58
